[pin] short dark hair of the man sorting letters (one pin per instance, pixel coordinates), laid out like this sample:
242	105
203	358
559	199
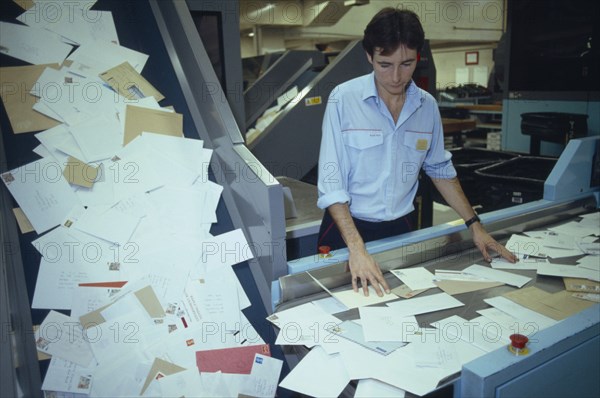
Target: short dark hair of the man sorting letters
390	28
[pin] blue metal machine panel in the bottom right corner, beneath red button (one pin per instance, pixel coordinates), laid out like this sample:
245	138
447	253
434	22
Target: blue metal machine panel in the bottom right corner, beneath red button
563	362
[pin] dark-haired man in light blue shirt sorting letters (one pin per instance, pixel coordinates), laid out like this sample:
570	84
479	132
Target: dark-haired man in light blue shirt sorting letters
379	130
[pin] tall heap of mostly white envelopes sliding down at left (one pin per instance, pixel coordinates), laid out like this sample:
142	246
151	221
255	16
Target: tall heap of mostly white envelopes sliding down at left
123	207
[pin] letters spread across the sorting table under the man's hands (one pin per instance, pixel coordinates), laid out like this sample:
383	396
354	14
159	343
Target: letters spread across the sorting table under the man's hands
389	352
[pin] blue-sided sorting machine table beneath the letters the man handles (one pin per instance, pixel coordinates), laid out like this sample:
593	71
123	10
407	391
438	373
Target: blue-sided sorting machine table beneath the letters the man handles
563	359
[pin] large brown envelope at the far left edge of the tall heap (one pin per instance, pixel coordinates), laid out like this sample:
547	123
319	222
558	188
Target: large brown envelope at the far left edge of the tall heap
15	84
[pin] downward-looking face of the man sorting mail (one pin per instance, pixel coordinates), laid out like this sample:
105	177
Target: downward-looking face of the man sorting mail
393	71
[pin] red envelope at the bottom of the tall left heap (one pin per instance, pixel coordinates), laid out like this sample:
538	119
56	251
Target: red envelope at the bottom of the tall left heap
230	360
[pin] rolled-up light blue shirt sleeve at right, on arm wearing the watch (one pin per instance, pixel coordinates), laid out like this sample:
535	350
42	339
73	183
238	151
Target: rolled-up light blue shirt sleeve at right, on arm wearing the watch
438	162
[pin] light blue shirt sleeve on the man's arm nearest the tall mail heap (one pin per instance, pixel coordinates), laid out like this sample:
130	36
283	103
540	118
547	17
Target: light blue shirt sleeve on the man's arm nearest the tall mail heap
333	170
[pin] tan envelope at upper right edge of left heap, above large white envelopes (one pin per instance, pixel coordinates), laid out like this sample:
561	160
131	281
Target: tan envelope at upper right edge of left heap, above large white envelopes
138	120
